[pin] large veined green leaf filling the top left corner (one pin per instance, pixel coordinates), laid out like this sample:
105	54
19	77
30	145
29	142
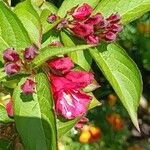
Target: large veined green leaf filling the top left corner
12	32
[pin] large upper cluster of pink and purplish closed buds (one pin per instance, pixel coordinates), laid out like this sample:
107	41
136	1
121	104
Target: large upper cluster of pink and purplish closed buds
92	28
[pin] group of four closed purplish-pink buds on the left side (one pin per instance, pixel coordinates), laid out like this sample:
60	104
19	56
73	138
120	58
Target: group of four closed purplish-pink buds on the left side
13	65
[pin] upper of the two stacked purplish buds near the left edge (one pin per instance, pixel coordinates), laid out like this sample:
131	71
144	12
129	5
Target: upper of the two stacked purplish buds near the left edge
10	55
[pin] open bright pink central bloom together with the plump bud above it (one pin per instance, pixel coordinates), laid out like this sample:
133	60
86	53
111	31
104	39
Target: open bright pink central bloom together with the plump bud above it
70	100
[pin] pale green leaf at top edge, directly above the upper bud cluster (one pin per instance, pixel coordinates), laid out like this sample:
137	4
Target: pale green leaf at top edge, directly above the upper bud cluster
68	4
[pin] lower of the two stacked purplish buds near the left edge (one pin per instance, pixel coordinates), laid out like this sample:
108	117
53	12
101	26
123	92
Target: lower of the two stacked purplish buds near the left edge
12	68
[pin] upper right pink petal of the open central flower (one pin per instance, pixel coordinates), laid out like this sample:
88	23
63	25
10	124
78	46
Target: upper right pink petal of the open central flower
80	78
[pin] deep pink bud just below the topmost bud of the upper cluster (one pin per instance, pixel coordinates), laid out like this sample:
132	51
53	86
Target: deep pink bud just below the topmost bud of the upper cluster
82	30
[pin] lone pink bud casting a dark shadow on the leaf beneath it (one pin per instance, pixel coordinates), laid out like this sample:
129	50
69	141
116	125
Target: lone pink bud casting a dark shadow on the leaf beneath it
28	87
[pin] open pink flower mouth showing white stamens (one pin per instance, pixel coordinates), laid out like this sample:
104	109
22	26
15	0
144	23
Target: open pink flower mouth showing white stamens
71	103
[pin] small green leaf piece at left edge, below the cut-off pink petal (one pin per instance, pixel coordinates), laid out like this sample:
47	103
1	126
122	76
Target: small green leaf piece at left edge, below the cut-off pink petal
3	115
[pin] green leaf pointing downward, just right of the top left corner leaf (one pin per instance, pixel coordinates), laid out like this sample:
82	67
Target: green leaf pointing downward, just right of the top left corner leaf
31	21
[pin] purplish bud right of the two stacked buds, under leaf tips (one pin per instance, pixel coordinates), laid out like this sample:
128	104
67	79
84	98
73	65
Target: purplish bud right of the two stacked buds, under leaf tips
30	53
